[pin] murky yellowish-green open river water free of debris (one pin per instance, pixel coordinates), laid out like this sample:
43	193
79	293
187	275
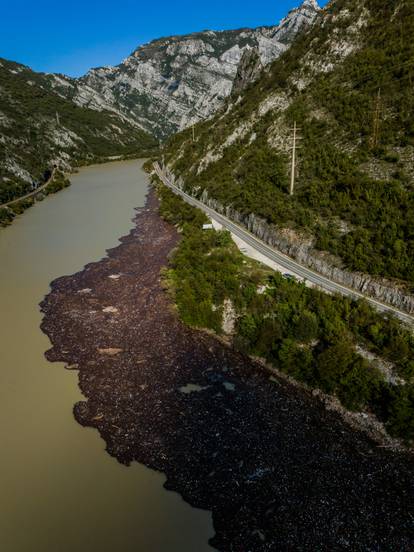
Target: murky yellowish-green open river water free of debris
59	489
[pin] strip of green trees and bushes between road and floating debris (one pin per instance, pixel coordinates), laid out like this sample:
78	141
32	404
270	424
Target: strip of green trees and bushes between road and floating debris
303	332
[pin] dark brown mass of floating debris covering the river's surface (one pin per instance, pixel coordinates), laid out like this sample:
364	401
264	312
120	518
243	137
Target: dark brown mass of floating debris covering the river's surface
277	471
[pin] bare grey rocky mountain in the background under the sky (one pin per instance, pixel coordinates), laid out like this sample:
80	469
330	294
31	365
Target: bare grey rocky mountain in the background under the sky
170	83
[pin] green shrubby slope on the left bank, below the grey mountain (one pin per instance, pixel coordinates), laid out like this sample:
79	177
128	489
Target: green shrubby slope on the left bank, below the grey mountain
39	129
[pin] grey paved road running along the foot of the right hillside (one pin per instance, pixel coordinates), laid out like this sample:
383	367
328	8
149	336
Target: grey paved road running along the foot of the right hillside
283	260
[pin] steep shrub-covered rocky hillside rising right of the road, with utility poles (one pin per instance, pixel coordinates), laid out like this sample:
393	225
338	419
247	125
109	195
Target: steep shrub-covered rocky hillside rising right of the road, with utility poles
348	85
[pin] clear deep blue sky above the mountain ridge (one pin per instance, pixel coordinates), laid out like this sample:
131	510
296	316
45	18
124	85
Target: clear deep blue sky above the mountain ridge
73	36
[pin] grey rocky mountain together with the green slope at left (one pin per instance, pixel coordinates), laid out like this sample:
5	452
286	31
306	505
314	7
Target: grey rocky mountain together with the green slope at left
162	87
